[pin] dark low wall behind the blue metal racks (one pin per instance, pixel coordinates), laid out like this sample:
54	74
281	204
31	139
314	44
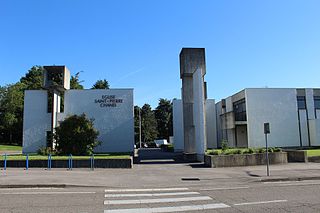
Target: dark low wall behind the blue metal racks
98	163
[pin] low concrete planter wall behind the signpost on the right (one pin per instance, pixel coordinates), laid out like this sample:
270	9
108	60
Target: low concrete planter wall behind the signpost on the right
245	159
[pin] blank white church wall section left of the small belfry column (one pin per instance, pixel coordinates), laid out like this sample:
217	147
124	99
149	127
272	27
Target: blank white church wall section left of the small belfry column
36	120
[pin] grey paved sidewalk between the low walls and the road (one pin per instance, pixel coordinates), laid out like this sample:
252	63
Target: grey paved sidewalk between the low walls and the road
155	175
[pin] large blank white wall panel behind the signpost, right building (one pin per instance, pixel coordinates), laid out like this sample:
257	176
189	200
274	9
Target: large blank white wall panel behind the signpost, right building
279	108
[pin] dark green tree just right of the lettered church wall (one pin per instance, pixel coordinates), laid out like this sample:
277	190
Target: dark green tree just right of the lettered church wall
148	124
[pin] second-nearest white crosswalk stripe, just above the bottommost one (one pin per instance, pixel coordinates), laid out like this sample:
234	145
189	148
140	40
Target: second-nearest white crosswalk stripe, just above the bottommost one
161	200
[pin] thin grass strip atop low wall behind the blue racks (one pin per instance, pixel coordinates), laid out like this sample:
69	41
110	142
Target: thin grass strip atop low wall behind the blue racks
41	157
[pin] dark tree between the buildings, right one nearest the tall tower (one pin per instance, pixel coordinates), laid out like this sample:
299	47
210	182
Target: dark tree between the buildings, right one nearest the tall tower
163	114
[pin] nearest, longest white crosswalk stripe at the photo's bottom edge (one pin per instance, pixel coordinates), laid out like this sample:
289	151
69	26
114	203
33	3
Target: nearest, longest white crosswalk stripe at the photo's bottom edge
170	209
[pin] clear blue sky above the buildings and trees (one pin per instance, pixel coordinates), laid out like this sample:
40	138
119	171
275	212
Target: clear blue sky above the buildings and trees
136	44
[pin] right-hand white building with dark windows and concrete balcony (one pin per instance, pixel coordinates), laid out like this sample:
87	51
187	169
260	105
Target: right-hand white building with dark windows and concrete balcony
292	124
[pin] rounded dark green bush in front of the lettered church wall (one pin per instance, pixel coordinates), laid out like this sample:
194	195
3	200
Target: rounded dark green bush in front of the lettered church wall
76	135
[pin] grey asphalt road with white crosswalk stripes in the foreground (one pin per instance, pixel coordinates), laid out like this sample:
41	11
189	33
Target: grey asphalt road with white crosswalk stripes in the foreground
302	196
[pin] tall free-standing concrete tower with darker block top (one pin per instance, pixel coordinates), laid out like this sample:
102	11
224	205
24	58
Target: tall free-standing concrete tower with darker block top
192	72
